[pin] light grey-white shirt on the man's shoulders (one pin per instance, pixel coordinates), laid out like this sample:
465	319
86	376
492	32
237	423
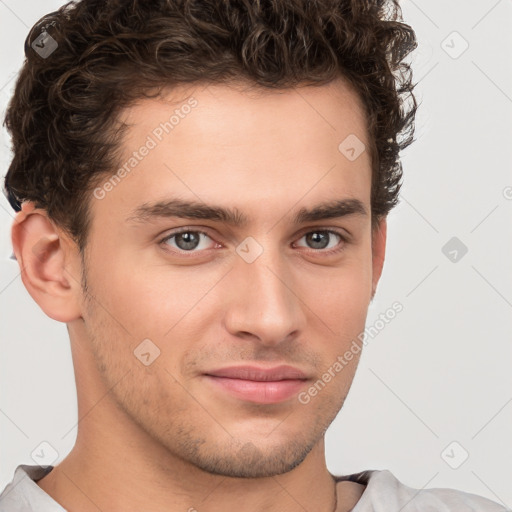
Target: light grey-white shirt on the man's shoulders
383	493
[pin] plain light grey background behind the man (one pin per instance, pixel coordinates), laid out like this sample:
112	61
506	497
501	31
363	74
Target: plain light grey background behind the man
440	371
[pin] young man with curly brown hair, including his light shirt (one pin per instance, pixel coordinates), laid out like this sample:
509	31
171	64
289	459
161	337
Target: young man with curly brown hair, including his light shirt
205	209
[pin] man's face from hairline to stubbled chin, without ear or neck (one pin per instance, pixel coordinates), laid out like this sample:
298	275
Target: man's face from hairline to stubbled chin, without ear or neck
228	268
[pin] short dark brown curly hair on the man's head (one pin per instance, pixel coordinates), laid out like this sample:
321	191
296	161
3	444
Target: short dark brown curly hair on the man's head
63	116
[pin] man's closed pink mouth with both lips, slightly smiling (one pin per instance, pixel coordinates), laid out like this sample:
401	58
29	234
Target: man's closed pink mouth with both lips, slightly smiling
257	384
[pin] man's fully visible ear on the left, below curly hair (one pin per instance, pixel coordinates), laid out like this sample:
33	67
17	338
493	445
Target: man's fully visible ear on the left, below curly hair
49	263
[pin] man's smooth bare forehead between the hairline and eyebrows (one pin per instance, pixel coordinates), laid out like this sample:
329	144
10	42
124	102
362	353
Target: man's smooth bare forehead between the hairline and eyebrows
243	147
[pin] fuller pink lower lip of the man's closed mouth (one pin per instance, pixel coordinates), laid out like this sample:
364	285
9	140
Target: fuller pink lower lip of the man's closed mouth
267	392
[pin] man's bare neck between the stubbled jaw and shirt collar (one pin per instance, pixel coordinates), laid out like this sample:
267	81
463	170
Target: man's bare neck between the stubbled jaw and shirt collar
118	473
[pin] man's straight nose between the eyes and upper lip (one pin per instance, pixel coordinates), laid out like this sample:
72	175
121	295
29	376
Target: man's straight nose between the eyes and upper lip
263	303
